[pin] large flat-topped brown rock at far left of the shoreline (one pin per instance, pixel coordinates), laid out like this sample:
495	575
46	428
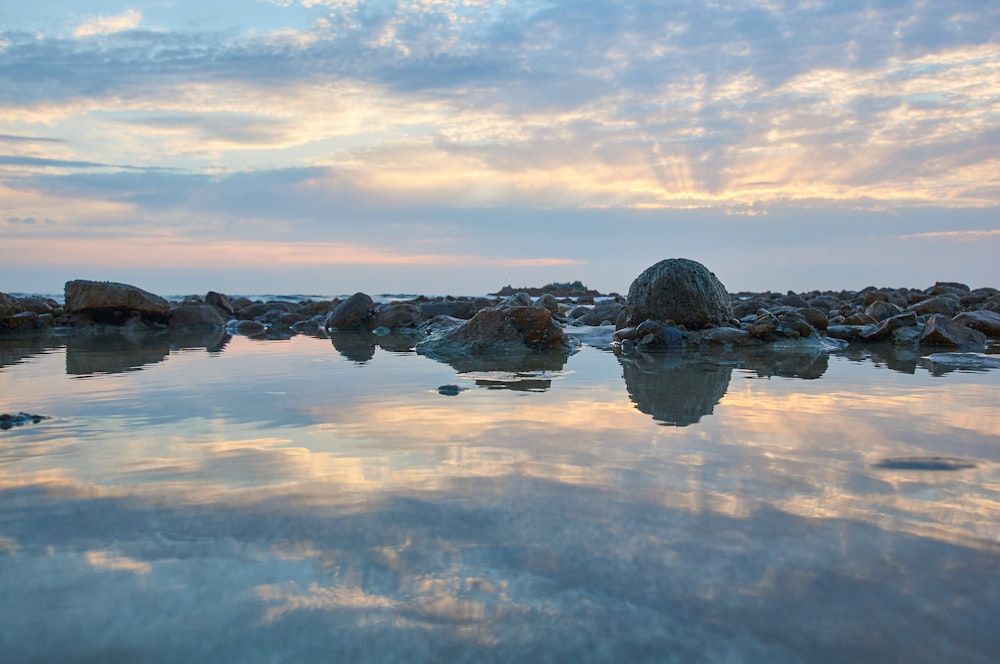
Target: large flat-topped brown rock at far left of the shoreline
113	303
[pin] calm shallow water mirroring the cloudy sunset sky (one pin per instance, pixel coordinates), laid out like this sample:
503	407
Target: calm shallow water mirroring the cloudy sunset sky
216	499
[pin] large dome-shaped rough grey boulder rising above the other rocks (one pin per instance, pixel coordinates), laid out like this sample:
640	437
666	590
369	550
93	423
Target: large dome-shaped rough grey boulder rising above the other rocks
679	290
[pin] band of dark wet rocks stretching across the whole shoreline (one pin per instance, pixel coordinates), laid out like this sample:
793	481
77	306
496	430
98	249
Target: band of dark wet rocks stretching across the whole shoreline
676	303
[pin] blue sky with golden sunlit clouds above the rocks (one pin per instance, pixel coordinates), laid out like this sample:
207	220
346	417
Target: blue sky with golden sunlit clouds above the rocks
457	146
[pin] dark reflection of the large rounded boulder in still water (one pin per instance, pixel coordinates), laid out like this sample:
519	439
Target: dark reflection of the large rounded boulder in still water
675	388
